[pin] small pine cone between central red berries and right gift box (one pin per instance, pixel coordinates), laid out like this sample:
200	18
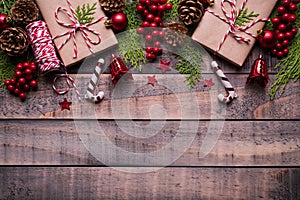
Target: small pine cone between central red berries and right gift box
173	34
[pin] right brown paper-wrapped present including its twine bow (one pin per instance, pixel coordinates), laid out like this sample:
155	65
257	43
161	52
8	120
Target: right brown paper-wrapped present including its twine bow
220	31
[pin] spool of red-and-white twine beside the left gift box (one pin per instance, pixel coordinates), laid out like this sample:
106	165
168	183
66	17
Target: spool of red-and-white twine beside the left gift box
43	47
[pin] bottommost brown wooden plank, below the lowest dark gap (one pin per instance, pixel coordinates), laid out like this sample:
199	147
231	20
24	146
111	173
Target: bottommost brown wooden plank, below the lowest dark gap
167	183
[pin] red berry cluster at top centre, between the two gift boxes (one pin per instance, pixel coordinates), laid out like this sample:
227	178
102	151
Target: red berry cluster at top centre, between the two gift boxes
152	12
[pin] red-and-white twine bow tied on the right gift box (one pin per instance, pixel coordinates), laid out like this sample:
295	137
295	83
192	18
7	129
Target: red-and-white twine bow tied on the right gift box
231	18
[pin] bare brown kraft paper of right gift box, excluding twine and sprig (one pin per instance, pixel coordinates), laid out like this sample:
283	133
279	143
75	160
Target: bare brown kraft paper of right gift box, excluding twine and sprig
211	30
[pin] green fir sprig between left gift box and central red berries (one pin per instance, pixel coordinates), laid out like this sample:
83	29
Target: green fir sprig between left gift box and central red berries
130	48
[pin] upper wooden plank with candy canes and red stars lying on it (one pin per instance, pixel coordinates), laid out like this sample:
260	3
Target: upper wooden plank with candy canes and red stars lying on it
171	95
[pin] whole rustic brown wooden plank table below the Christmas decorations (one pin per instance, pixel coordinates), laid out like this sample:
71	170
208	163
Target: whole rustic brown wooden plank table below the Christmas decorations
256	155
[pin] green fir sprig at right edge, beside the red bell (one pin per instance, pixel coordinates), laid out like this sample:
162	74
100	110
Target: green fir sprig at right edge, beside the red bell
289	69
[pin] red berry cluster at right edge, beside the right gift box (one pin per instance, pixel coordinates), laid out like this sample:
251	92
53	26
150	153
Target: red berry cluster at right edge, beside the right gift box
283	26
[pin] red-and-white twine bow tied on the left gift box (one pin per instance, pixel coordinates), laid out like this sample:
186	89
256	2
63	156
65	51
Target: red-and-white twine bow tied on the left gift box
76	26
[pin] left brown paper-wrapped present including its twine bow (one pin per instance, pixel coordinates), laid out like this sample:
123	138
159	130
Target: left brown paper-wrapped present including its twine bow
62	25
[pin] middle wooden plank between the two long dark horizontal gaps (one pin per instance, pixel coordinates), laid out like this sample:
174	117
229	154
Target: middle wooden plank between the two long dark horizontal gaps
240	143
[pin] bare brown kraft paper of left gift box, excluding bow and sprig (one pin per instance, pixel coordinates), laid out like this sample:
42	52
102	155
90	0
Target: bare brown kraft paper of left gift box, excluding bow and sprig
48	9
